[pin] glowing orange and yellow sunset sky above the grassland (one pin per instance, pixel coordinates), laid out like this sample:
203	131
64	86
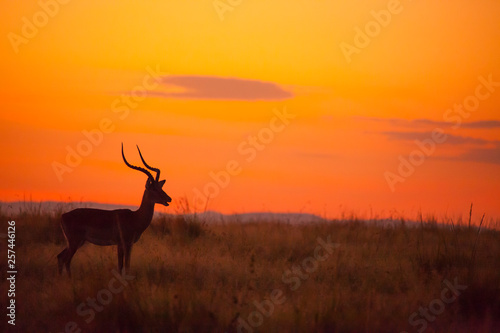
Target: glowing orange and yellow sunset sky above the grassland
198	85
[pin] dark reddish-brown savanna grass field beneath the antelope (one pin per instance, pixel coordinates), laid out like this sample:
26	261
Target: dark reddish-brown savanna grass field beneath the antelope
190	276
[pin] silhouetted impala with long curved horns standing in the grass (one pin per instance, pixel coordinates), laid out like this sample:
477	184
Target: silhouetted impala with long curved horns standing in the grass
120	227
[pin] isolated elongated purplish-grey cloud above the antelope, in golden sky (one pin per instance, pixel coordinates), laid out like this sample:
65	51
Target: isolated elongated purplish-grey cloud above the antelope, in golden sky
220	88
